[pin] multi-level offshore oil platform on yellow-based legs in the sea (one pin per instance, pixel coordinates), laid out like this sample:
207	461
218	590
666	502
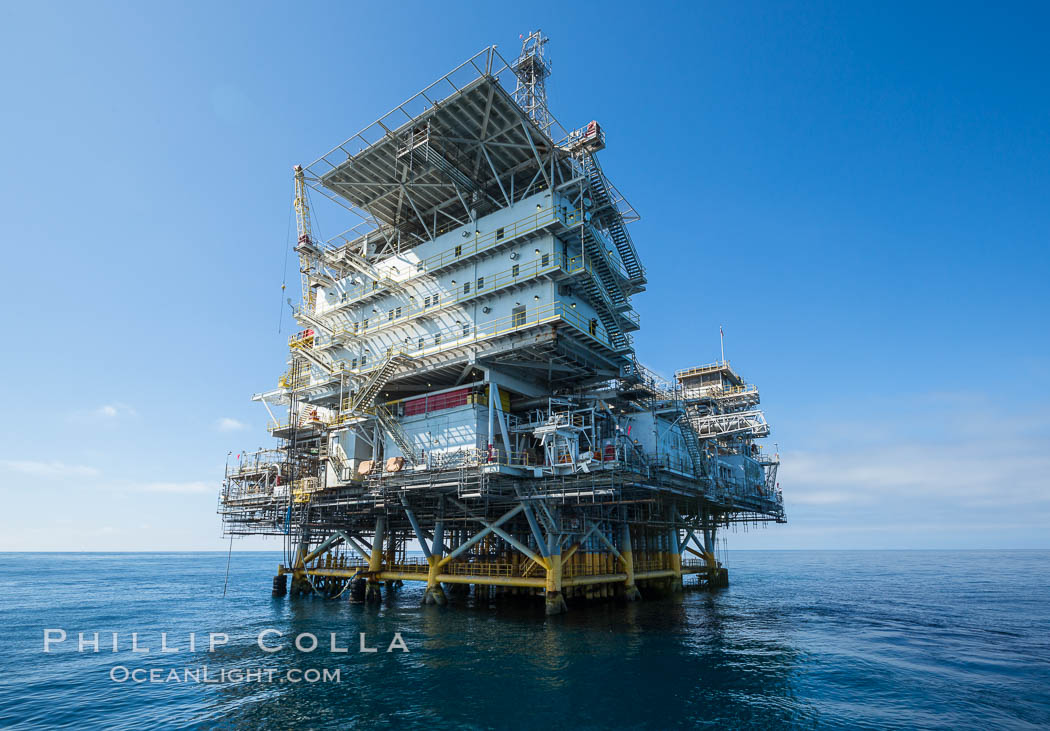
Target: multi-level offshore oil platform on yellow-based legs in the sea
466	379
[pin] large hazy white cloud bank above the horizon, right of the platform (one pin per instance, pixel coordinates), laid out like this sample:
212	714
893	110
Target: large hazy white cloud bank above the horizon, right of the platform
962	453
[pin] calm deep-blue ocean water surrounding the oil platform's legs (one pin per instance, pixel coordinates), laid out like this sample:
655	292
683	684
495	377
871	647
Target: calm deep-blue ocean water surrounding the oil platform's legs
801	640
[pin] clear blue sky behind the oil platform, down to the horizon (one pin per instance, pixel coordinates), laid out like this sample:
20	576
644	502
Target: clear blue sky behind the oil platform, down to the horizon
858	194
